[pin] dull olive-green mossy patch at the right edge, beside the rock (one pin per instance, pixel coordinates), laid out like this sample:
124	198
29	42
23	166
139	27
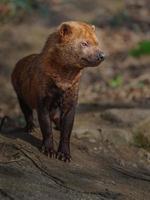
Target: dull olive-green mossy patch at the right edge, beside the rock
141	141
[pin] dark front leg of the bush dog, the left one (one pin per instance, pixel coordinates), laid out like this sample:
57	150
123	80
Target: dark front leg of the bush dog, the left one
46	129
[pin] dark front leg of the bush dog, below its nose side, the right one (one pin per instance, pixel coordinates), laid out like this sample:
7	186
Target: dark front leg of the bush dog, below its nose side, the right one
66	124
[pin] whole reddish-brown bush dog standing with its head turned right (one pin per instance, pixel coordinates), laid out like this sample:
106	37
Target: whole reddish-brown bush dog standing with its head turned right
49	82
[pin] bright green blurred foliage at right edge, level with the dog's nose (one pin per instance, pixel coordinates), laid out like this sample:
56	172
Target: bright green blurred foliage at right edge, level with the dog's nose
143	48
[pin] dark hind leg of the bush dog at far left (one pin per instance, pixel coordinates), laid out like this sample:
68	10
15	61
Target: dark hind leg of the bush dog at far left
28	114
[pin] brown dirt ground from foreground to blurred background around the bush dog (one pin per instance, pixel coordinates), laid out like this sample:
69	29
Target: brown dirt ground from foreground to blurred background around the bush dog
110	142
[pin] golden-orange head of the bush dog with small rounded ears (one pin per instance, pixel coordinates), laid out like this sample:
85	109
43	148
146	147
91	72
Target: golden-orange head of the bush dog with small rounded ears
78	45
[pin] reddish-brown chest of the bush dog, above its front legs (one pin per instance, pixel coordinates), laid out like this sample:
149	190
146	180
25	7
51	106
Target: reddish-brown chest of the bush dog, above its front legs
61	91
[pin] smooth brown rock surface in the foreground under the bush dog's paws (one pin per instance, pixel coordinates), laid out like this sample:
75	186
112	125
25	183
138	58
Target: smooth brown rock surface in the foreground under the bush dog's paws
104	165
